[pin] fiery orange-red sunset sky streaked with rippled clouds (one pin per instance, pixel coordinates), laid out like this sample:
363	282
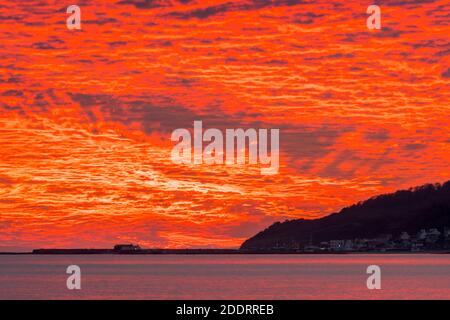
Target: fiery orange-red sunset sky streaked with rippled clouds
86	115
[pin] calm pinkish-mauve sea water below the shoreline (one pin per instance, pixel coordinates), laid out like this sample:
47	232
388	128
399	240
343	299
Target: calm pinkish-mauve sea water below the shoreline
403	276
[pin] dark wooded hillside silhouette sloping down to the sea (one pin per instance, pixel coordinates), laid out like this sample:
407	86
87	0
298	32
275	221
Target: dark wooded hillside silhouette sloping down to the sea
417	219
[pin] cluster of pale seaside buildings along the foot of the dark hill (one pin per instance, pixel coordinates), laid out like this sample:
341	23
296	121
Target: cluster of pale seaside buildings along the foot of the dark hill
431	239
